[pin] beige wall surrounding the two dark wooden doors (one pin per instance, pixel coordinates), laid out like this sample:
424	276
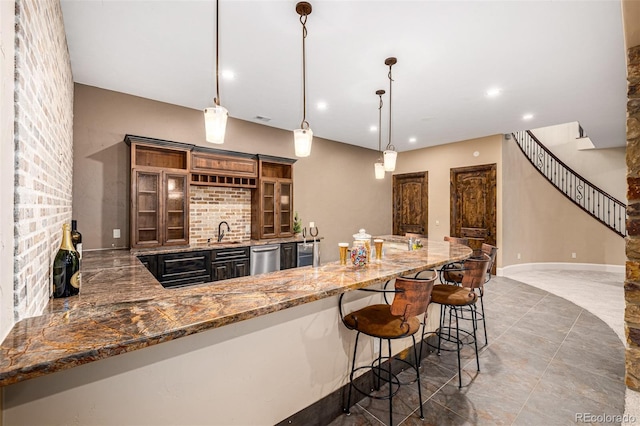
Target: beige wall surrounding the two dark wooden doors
438	161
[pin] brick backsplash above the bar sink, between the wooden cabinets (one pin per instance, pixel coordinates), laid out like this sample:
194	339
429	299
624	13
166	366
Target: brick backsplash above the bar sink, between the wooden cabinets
211	205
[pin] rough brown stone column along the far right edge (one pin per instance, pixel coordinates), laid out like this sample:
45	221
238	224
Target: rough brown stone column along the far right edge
632	282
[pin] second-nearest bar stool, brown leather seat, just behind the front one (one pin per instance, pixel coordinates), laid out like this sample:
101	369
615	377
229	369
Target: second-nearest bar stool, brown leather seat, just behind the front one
452	298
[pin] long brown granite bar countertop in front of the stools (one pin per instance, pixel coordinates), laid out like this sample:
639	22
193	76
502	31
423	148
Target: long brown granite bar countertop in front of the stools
122	307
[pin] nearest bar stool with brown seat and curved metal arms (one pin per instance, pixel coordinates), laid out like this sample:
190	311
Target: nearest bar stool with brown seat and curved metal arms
402	318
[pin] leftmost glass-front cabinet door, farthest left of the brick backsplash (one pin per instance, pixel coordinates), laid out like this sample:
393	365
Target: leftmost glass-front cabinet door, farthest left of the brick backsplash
146	230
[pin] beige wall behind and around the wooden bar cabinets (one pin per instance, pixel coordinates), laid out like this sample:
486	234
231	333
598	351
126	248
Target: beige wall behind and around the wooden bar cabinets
334	187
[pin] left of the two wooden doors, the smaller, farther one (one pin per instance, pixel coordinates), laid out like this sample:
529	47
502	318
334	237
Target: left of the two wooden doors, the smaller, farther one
411	203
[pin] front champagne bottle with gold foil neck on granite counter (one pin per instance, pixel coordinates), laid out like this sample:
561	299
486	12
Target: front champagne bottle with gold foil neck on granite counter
66	267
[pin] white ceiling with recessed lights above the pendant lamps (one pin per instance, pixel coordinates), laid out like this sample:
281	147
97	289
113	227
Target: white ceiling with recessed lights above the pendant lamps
561	61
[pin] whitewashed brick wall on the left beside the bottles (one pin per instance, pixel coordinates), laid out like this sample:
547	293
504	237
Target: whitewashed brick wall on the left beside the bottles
43	149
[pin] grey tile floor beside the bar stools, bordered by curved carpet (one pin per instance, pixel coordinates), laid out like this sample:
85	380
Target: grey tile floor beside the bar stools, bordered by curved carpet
548	360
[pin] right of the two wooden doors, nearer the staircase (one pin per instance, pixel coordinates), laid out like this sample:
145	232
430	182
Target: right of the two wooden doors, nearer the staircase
473	204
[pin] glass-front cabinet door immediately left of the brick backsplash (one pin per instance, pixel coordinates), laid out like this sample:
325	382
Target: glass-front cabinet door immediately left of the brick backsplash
176	227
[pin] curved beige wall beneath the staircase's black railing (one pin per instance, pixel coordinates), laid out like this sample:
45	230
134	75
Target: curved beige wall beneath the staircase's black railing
544	226
